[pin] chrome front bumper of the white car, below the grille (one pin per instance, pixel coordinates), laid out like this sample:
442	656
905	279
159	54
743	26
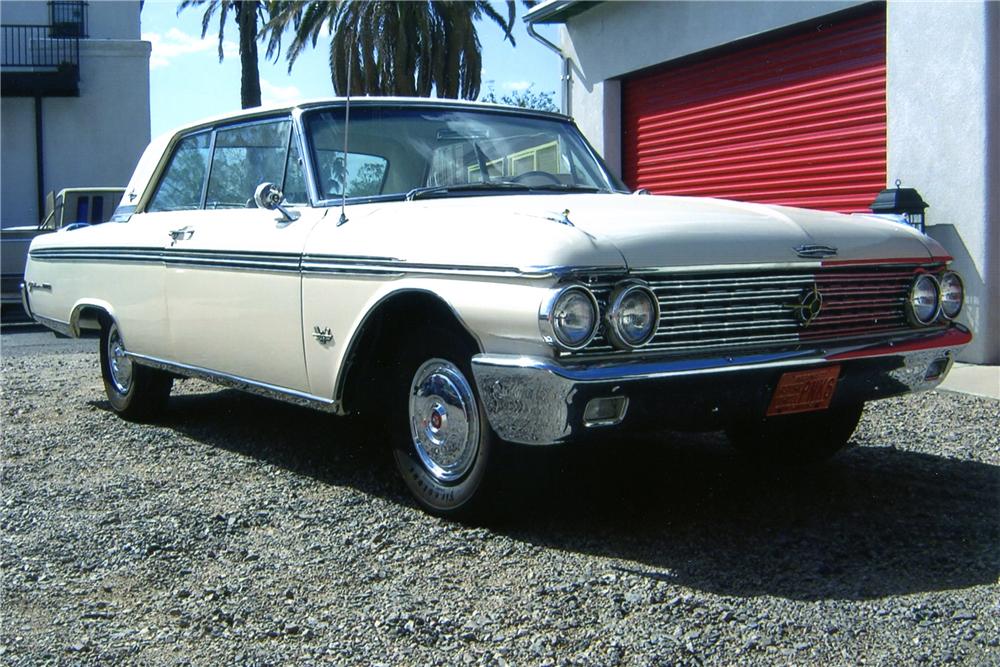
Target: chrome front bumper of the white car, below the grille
538	401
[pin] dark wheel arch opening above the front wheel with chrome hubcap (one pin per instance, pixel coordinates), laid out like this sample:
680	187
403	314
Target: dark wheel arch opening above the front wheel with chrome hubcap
388	321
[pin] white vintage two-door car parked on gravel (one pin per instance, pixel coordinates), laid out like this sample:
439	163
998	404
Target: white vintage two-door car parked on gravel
477	279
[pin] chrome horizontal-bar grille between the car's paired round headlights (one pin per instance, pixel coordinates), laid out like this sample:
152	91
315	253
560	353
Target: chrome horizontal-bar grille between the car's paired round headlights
750	311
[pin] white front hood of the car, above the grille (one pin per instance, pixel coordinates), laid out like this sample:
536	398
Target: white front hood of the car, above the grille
634	232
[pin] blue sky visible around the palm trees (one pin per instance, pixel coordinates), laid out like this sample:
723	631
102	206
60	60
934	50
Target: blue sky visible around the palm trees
187	82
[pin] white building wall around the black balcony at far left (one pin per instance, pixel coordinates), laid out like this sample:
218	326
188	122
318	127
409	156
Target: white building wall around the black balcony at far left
91	140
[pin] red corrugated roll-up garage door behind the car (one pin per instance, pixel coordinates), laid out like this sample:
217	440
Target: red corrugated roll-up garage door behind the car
799	120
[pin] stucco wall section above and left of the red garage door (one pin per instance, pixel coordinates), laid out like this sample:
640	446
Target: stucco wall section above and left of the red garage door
616	38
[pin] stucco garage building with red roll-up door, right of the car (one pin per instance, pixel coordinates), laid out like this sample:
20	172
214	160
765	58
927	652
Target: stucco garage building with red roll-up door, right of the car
816	104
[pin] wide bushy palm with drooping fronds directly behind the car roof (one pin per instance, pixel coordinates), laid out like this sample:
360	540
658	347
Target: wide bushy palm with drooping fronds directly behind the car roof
392	47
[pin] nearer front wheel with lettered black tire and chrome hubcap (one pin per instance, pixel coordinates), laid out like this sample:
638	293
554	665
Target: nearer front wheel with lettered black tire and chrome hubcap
442	443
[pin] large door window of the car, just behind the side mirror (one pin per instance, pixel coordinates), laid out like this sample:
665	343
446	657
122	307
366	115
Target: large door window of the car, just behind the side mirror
245	157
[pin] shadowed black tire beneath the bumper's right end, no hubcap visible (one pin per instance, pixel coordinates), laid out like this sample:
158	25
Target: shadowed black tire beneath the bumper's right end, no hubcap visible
796	439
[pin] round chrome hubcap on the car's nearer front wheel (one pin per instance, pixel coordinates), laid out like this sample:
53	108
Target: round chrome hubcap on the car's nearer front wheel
444	421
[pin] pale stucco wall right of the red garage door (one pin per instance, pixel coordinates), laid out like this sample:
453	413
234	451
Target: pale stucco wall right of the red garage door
941	92
